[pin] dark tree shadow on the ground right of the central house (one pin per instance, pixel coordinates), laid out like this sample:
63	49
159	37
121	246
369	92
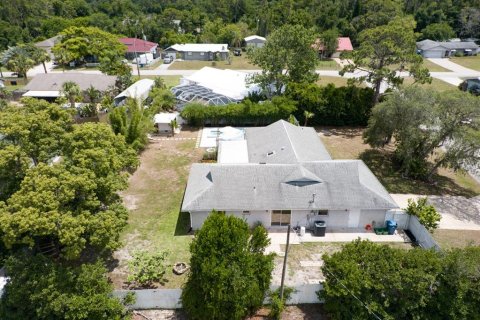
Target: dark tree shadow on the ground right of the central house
382	165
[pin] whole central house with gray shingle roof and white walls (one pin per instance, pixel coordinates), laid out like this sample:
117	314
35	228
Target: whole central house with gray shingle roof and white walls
289	178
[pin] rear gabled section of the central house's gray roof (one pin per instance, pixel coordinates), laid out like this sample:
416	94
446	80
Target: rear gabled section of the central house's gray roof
282	142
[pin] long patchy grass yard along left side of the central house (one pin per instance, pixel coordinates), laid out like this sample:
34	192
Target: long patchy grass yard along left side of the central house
153	198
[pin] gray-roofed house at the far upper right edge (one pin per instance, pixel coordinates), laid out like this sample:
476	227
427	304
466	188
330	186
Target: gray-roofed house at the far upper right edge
435	49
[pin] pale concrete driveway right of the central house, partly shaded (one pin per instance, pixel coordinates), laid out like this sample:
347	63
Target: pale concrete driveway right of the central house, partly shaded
458	213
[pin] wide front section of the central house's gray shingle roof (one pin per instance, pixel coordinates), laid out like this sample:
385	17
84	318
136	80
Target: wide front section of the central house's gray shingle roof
337	184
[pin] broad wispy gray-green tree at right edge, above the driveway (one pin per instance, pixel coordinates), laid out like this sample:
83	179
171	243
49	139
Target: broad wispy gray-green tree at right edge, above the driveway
430	130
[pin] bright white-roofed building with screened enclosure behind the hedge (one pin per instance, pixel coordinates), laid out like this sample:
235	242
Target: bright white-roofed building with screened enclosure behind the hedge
213	86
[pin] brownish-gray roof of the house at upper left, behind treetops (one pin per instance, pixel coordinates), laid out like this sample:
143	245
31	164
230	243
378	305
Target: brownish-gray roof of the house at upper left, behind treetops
54	81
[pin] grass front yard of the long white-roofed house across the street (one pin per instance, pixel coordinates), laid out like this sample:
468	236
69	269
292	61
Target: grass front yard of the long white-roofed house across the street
238	63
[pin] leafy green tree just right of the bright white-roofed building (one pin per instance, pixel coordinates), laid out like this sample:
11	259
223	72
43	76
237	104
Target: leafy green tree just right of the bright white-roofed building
287	56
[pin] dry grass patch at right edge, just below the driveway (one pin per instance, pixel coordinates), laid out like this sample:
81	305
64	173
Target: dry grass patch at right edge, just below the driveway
448	239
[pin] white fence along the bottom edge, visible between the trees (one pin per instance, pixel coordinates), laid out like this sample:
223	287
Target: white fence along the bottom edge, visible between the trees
171	298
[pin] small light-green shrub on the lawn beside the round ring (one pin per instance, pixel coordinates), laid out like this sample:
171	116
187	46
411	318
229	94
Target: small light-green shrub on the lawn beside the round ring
146	268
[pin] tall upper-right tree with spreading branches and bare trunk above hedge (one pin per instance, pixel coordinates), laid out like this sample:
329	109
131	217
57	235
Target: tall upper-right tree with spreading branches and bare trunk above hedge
384	51
